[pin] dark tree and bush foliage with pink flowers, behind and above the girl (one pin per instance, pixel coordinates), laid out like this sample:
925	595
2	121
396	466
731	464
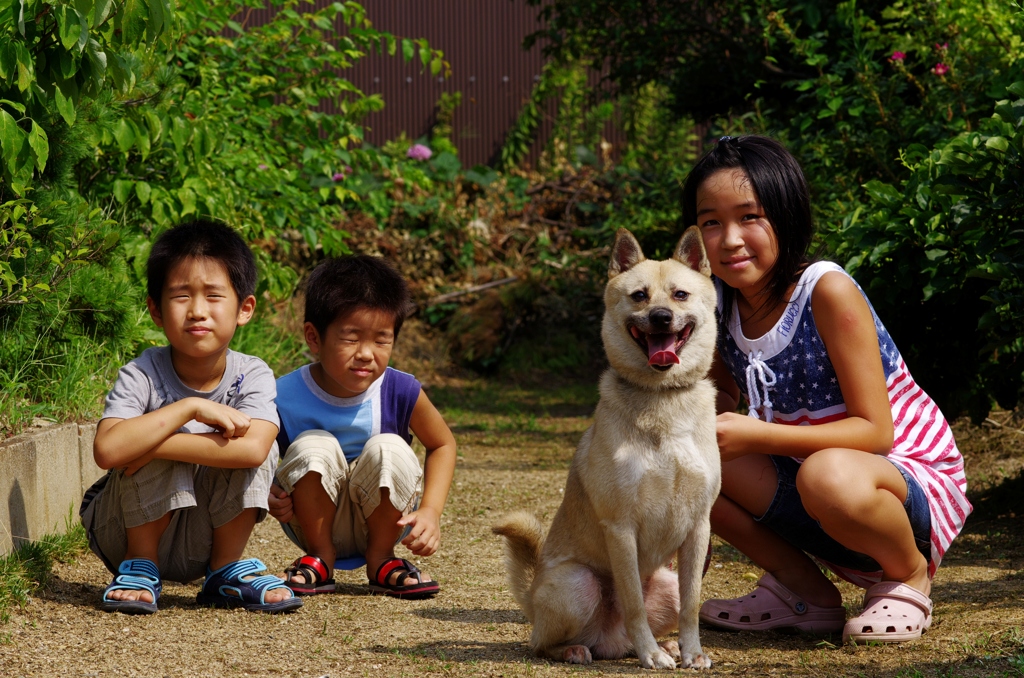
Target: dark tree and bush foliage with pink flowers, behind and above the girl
888	106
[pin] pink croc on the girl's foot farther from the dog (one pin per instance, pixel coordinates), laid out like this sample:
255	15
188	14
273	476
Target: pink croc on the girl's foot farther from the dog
893	613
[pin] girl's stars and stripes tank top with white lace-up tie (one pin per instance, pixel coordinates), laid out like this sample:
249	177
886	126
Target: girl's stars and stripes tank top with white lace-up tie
789	379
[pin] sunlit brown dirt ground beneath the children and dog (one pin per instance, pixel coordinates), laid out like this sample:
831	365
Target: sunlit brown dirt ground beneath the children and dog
515	447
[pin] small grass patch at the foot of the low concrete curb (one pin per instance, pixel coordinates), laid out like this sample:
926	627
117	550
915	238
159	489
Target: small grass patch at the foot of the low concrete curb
28	569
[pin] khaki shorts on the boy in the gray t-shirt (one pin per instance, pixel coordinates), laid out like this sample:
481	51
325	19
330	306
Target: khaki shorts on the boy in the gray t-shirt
201	498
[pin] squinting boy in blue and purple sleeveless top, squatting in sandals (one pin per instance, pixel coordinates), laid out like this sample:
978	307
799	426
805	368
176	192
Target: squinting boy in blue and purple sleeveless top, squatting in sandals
350	484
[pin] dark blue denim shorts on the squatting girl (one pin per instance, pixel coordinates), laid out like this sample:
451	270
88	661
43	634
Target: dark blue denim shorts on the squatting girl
787	518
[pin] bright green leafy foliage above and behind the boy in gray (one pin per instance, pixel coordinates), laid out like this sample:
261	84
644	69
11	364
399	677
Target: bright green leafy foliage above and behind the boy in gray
120	118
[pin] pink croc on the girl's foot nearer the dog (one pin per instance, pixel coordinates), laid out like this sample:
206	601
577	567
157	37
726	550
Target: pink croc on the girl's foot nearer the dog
770	607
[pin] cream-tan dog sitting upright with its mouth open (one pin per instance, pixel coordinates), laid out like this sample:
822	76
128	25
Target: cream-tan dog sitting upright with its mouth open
643	481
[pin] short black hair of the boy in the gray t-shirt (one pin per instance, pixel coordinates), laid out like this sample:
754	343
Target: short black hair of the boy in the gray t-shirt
201	240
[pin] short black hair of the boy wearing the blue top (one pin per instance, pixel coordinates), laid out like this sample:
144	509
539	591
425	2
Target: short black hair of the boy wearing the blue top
337	287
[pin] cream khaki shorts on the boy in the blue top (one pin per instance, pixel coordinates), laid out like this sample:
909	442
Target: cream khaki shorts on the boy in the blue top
387	461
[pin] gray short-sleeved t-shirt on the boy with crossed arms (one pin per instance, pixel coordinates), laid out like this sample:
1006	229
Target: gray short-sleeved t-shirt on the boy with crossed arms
150	383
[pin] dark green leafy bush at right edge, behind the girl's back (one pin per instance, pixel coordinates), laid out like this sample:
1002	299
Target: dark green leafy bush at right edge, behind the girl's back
944	257
